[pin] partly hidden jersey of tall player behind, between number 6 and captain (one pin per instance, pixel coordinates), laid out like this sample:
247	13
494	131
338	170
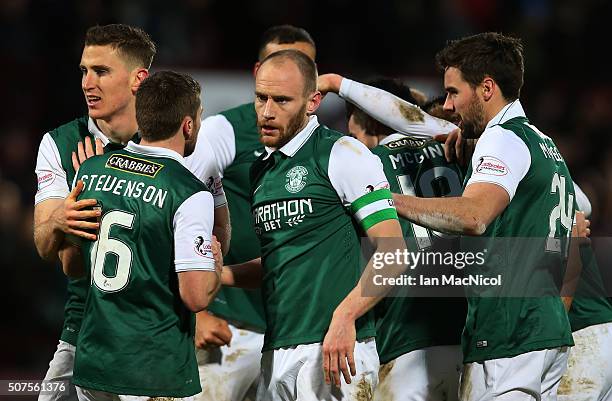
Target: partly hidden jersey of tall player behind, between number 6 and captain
234	146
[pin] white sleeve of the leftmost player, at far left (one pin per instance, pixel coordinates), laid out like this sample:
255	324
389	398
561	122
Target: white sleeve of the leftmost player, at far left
52	181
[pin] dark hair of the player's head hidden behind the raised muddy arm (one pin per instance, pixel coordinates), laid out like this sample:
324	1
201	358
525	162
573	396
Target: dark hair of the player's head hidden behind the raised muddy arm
370	125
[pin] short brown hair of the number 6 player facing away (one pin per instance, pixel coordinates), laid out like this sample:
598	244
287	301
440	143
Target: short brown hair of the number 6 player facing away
162	102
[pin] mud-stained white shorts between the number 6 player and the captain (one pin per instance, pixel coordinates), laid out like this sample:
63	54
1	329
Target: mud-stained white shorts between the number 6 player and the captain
229	373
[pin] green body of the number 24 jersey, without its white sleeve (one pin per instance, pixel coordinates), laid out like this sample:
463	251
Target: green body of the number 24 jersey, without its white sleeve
498	325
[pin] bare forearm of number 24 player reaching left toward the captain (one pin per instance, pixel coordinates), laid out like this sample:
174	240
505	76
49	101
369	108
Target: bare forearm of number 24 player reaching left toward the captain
454	215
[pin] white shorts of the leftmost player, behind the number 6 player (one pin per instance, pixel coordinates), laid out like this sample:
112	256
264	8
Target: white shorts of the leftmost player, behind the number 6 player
60	369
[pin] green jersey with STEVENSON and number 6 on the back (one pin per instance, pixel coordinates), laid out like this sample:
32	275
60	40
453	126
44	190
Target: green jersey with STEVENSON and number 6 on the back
137	336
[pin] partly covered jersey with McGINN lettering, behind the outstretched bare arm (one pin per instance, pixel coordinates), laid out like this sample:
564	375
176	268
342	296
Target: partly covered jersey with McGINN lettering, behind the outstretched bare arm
417	166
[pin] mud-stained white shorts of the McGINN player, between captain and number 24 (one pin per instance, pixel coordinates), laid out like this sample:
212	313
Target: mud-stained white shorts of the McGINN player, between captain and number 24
428	374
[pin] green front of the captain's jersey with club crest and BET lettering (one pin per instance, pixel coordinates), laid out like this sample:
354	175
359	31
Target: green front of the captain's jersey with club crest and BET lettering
310	244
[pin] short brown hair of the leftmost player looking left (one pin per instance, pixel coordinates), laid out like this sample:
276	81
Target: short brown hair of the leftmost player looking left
132	42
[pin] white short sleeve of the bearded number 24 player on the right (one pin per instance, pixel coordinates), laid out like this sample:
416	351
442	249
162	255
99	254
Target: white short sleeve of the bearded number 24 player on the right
500	158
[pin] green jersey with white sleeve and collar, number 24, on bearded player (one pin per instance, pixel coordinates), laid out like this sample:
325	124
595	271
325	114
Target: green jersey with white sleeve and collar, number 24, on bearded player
525	312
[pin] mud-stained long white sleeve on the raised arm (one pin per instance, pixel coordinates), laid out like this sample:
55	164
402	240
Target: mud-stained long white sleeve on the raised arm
393	111
